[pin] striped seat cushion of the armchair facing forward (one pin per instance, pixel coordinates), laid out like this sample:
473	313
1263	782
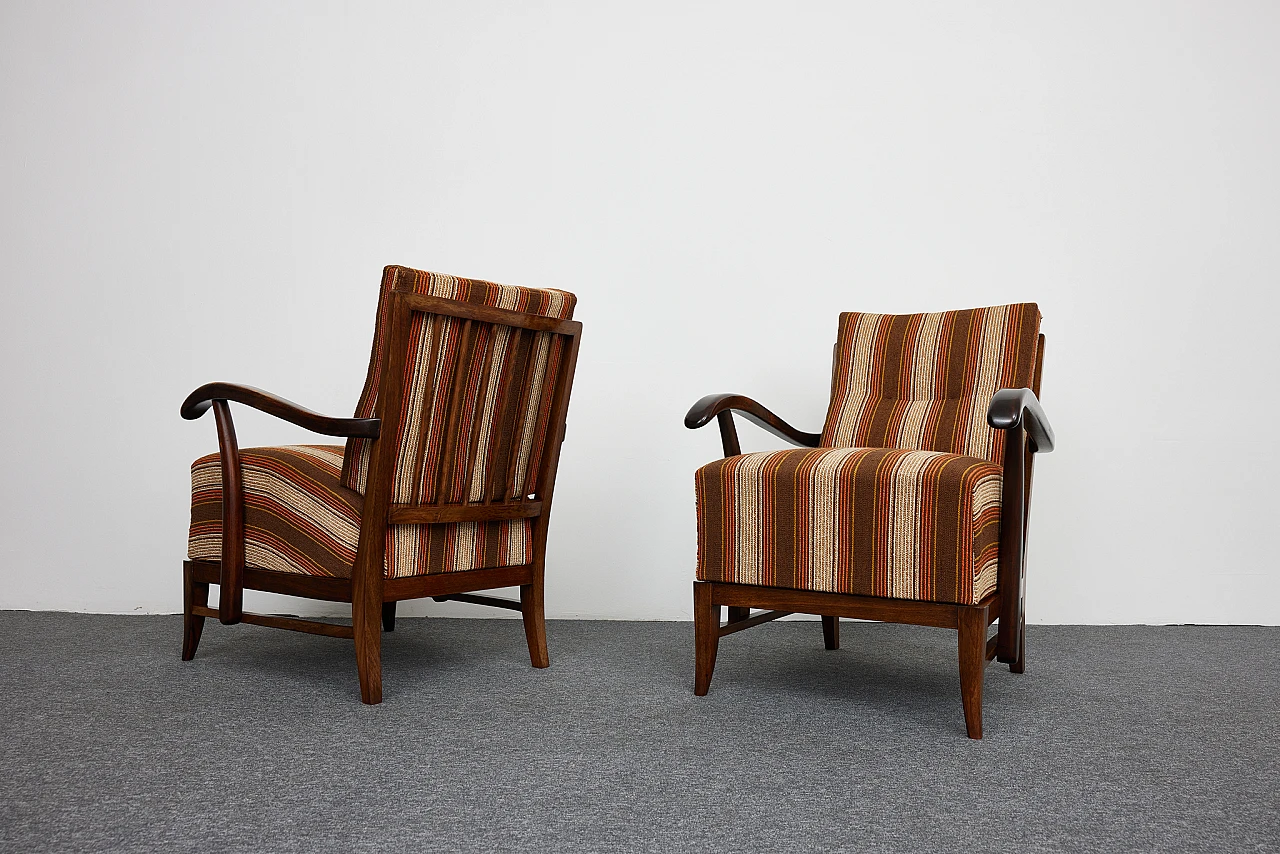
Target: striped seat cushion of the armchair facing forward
875	522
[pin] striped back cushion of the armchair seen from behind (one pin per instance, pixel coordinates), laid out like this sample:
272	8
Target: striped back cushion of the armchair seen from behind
478	396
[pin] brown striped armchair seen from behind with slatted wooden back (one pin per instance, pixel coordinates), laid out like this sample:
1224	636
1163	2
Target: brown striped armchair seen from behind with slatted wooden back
444	487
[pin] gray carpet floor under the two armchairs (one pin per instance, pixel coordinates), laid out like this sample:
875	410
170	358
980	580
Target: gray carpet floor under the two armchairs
1158	739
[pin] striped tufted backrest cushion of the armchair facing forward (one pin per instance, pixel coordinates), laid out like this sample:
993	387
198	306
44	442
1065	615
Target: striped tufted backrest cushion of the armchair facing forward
924	382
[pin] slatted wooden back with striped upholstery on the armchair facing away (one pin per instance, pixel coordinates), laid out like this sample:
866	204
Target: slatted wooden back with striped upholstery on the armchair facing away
470	381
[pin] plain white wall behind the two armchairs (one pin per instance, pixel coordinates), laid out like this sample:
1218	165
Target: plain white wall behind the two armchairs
209	191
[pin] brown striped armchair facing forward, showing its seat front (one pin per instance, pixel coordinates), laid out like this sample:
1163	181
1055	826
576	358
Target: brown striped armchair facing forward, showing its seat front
911	506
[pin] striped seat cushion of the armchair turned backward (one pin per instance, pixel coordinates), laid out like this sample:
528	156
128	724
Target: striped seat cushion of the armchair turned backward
299	518
